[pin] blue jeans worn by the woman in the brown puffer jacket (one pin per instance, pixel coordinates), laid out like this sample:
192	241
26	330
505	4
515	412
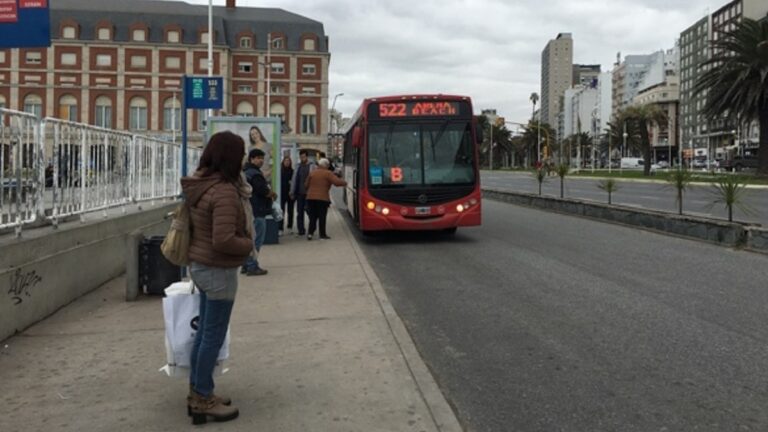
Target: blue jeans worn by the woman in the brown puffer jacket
218	287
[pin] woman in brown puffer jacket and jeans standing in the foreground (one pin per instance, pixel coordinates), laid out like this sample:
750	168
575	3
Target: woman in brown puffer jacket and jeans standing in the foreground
221	240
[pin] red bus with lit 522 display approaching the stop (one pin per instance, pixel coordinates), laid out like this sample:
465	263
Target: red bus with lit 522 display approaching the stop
411	163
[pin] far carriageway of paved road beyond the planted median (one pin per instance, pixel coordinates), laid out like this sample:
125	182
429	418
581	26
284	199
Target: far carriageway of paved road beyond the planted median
698	201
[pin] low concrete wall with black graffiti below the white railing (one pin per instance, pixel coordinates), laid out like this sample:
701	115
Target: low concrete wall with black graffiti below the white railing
49	268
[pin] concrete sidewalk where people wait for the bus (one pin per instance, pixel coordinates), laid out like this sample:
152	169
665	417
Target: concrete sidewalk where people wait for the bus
316	346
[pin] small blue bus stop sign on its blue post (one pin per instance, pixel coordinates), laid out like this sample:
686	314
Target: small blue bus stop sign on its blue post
199	93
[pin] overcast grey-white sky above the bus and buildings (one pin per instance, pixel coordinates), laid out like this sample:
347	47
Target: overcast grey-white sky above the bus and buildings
487	49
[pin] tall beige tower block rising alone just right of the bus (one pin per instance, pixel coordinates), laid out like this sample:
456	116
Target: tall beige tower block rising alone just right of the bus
556	76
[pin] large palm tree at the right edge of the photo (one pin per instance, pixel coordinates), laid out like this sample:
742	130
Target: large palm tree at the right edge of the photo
736	78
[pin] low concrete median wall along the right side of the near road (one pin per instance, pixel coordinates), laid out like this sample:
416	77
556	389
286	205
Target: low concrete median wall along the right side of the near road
710	230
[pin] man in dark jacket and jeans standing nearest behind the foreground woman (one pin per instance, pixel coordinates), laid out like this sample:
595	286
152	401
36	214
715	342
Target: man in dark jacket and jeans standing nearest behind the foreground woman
261	203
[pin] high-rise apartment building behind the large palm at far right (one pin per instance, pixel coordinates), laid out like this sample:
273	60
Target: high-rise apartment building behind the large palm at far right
696	49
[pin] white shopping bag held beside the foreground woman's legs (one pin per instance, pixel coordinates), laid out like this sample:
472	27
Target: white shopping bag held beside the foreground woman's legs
181	307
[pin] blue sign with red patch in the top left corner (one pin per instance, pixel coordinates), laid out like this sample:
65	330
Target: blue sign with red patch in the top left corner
25	24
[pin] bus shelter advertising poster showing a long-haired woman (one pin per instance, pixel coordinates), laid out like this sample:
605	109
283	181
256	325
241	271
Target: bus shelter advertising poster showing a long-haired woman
257	132
